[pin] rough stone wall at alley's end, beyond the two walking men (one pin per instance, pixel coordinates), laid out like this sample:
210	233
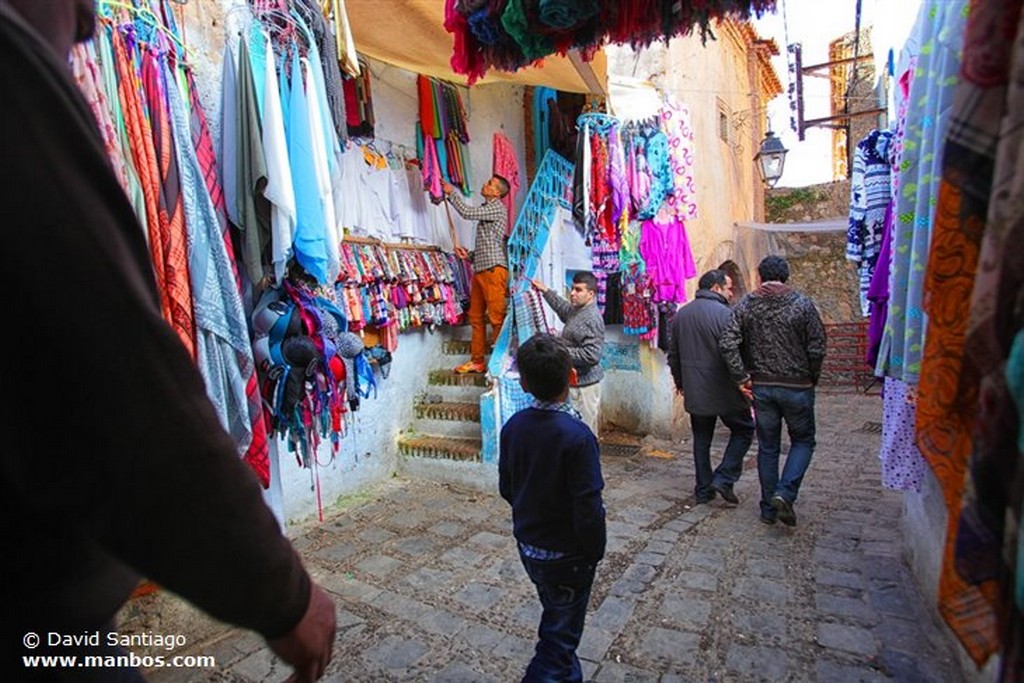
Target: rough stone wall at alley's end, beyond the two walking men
818	261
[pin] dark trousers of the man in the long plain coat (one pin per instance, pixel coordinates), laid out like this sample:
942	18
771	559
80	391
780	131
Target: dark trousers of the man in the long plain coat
728	474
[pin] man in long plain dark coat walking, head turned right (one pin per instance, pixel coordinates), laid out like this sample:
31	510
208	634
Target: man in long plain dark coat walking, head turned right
709	394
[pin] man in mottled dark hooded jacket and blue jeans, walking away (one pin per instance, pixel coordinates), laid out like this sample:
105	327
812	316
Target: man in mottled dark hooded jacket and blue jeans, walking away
775	347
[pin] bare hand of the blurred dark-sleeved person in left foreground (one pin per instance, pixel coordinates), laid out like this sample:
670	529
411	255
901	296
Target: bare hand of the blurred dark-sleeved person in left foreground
309	647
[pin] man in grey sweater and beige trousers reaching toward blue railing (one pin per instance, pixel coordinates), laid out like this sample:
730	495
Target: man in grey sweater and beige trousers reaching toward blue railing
584	334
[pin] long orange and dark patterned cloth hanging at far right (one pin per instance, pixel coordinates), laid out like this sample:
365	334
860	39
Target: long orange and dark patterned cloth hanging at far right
951	380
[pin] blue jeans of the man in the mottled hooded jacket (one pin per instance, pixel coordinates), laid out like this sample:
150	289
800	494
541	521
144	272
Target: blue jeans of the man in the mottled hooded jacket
773	405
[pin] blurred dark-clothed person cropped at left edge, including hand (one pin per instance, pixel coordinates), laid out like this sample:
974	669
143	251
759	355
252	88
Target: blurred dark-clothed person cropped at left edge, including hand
117	465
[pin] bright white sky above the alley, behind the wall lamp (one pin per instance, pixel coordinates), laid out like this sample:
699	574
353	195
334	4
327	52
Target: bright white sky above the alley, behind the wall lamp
815	24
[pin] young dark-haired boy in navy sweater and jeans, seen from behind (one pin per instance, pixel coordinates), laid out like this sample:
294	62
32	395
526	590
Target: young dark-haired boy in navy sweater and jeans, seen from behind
550	473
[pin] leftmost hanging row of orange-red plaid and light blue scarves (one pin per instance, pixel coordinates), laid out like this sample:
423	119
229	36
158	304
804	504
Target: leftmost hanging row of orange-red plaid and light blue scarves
137	78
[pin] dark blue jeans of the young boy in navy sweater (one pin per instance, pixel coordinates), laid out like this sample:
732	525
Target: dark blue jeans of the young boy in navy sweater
564	586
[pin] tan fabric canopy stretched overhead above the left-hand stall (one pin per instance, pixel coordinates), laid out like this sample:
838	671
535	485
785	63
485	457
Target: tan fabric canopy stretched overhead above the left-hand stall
412	35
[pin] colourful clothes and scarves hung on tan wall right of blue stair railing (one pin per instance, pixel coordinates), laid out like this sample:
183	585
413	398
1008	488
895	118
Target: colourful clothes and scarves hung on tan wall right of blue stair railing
633	194
